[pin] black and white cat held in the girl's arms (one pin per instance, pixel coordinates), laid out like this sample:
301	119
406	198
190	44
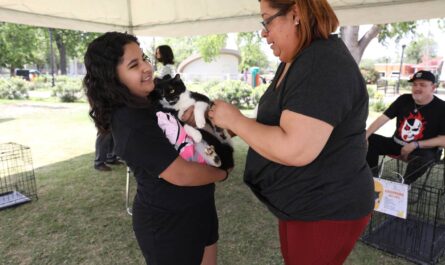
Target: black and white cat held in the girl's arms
175	96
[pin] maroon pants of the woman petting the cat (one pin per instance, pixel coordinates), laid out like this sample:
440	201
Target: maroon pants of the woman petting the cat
319	242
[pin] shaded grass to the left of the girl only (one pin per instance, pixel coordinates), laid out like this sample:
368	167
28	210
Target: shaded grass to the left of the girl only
78	219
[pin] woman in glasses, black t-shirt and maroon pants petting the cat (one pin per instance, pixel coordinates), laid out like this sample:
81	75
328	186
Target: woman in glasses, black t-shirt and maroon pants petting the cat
306	160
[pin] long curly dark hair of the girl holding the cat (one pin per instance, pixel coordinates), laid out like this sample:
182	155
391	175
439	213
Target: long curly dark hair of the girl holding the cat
102	86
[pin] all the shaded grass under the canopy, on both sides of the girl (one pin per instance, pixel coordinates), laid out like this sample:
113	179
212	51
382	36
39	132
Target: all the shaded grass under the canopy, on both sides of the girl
80	218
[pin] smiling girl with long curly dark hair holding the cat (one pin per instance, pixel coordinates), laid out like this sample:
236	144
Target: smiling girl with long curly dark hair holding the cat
174	215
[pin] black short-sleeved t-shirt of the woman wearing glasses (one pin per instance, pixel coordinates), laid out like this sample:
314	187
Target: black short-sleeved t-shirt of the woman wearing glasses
324	83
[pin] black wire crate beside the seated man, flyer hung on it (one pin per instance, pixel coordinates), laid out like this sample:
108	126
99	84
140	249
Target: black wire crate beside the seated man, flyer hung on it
420	237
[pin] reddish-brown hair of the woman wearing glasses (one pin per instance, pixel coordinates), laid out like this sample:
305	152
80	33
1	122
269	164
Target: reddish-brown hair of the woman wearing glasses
317	19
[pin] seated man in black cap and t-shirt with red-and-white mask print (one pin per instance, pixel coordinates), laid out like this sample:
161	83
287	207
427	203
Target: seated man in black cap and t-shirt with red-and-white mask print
420	128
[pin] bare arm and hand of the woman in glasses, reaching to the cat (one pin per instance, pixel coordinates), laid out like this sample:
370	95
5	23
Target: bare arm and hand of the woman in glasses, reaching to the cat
297	141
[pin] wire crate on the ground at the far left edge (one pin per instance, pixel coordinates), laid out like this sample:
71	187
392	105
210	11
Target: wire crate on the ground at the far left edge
17	179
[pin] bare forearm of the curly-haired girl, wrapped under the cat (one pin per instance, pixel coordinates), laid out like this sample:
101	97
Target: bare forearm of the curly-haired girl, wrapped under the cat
184	173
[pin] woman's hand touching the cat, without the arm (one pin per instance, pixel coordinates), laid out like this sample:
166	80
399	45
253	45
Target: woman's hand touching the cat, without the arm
223	114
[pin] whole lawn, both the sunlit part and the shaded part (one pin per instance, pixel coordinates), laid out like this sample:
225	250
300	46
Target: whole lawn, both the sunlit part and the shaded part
80	216
